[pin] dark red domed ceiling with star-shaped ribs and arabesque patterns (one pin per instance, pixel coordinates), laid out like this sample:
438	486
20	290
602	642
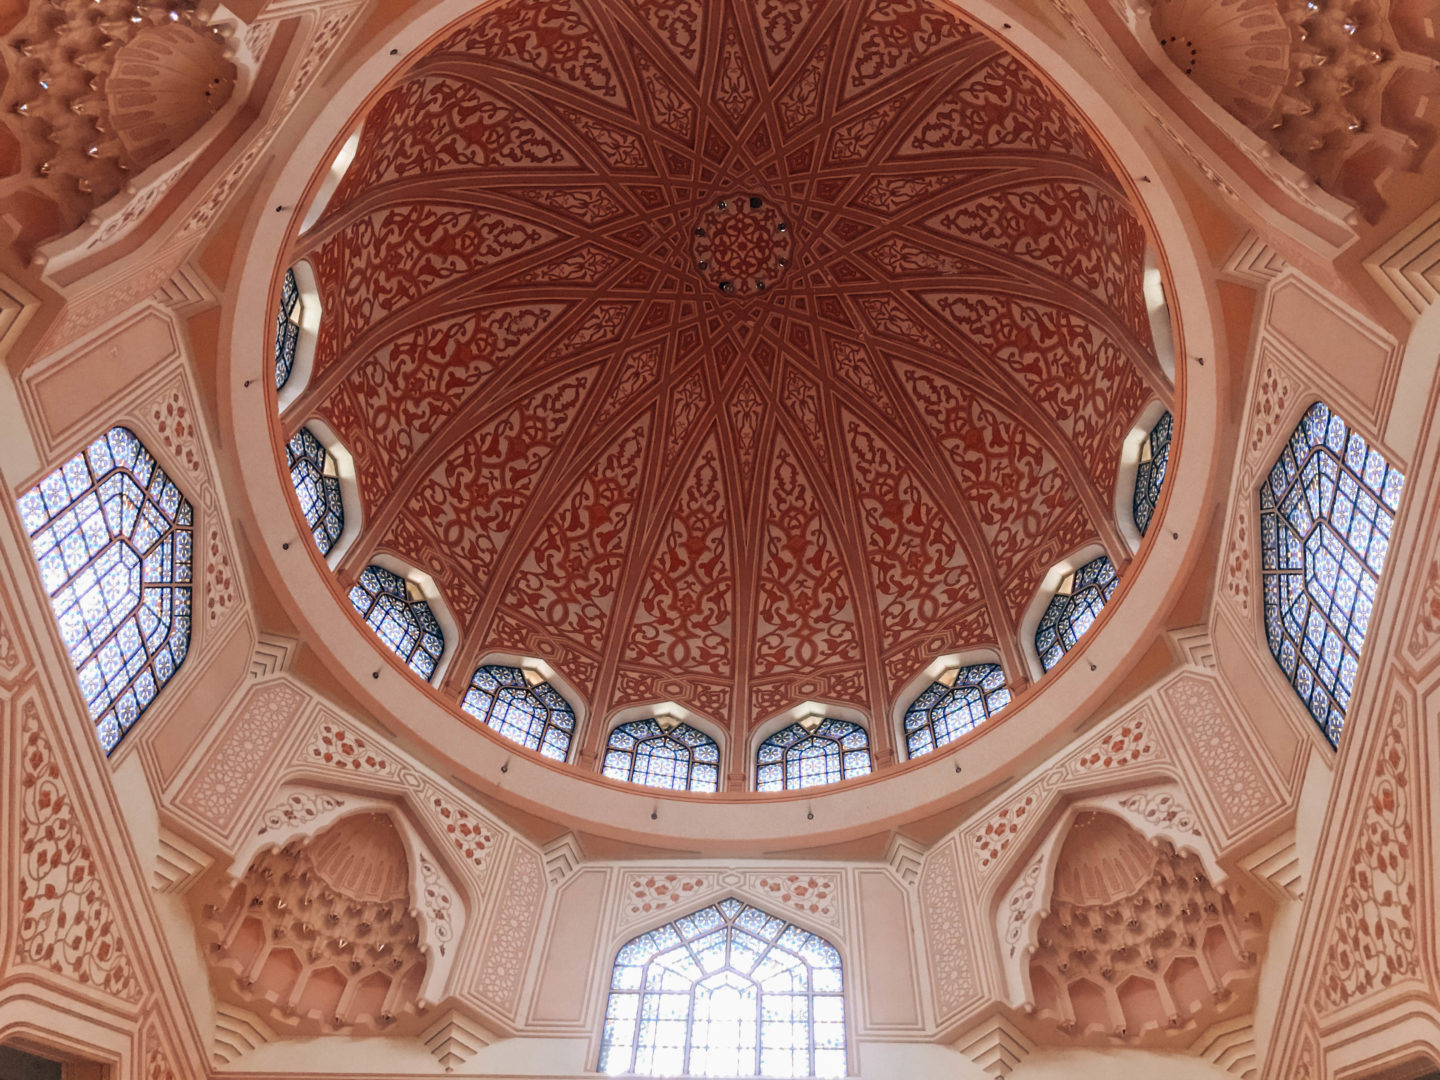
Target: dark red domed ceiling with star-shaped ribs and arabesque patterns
735	352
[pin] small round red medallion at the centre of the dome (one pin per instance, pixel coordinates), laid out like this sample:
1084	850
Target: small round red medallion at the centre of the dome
742	246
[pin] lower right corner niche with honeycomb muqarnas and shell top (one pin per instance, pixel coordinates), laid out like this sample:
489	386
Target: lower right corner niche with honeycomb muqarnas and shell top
1138	945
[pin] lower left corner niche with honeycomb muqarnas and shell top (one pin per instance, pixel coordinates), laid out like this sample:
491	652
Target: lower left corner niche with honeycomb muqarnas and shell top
320	937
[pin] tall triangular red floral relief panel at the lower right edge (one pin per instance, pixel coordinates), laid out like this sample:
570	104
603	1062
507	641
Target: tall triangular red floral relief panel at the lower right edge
1373	940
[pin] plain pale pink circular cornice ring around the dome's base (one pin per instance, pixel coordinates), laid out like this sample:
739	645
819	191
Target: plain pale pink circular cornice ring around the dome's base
427	722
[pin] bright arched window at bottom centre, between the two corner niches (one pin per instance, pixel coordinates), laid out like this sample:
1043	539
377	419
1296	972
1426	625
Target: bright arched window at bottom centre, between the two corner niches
726	991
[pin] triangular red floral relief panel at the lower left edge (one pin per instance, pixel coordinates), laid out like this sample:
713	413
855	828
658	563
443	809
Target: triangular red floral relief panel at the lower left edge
68	922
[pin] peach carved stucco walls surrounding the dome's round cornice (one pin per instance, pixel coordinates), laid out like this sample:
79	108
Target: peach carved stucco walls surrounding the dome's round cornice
1320	957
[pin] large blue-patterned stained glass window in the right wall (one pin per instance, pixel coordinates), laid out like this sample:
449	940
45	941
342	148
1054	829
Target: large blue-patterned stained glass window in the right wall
1327	513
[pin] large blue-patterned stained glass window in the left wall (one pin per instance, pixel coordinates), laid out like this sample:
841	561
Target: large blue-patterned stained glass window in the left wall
113	536
